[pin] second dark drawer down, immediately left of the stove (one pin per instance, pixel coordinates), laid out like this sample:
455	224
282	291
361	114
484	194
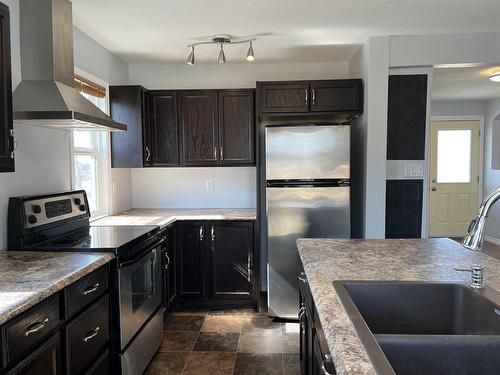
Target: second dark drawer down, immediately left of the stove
87	336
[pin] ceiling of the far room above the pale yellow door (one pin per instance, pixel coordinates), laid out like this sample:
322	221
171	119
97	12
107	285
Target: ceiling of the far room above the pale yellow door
464	84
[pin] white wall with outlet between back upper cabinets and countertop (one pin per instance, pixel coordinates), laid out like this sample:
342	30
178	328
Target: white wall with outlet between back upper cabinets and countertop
186	187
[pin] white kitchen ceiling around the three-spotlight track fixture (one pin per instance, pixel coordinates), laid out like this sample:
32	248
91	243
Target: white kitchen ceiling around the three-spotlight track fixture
288	31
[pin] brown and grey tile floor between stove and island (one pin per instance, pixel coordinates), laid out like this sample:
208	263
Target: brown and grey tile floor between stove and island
239	342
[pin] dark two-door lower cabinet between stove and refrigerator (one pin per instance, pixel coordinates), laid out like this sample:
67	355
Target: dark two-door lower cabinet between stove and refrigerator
215	262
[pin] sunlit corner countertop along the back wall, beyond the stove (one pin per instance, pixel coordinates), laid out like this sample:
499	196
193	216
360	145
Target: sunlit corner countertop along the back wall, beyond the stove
164	217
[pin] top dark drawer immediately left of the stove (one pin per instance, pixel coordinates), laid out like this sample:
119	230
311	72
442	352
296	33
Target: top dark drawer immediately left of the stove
86	290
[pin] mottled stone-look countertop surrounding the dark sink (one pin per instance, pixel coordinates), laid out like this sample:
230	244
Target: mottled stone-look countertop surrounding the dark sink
327	260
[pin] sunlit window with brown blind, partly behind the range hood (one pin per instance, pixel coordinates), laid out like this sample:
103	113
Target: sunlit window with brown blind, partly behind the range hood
91	153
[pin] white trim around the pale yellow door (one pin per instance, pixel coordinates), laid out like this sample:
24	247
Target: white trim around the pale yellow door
479	118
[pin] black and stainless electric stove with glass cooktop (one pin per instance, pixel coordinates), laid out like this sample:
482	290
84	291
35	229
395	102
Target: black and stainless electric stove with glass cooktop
60	222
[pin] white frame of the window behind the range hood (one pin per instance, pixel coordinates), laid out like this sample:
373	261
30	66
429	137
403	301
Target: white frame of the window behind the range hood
103	157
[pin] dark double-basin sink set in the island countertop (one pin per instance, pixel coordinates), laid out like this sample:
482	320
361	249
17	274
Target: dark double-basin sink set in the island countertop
414	328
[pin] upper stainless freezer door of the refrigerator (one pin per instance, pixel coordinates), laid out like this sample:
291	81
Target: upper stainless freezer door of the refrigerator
307	152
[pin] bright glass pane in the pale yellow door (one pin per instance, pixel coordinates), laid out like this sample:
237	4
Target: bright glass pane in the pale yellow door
454	156
